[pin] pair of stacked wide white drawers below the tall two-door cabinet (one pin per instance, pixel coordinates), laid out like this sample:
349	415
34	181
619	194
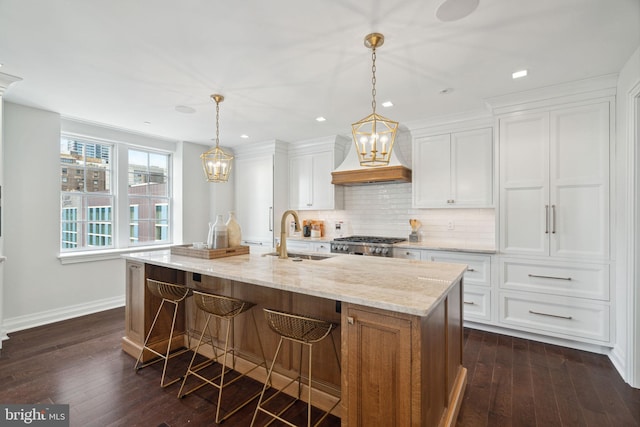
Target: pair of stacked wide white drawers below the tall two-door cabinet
560	299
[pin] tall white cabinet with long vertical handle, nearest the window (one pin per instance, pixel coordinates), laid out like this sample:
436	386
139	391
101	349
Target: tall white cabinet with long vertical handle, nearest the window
260	174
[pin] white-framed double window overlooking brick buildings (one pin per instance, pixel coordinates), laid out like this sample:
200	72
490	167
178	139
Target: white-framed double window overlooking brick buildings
90	200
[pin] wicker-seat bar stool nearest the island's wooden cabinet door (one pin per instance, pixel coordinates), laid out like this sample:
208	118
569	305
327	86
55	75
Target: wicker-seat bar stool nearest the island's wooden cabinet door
306	331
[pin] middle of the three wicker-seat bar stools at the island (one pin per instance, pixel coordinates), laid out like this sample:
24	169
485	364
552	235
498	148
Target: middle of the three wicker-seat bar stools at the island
224	308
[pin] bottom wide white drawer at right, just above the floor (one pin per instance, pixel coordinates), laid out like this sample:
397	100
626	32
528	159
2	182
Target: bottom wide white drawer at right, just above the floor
560	316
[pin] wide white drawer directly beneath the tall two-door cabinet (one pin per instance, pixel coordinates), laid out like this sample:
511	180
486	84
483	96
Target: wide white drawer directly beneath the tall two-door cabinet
576	280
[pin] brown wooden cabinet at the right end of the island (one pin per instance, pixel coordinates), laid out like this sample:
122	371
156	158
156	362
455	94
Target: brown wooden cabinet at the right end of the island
394	366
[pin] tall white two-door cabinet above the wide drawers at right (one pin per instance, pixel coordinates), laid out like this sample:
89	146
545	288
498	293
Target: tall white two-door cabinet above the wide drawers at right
554	182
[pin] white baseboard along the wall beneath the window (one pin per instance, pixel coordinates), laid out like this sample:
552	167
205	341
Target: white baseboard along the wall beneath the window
28	321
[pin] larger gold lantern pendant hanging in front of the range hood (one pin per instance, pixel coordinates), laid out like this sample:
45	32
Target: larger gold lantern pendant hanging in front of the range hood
374	135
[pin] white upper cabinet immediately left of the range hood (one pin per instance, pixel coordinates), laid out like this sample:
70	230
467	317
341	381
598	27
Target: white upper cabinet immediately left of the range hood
310	166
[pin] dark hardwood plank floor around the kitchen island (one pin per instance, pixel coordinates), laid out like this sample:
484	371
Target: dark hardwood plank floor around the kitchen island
511	382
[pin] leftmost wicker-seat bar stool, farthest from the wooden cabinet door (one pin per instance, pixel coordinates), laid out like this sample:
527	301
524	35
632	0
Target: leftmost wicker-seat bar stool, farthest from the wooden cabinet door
170	294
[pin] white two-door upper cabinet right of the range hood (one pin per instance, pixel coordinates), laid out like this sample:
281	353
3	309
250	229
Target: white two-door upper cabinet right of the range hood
453	170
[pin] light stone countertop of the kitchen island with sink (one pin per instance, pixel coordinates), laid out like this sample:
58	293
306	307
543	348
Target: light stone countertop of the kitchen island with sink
400	285
